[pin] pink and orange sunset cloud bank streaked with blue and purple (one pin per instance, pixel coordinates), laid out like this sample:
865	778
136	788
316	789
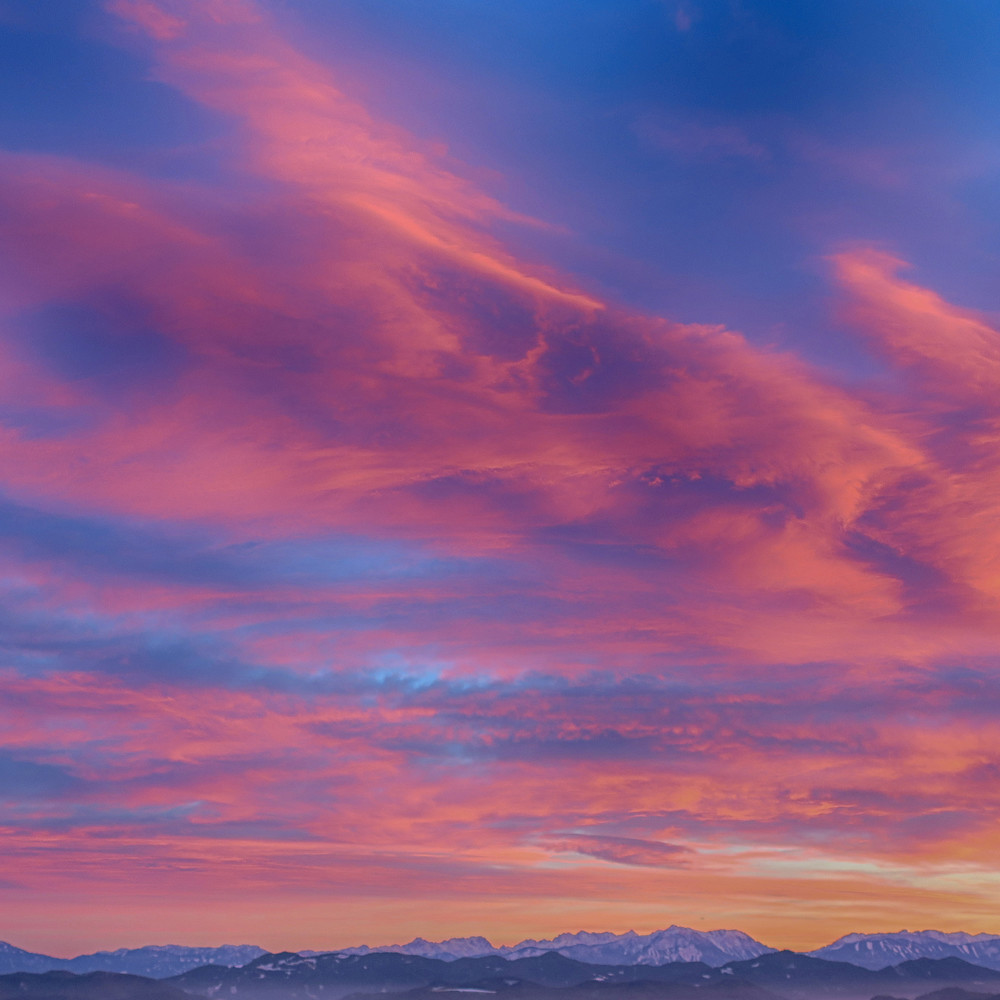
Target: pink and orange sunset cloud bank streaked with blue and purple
360	569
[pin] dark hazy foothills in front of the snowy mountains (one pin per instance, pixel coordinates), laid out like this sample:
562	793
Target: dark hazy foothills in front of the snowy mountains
780	975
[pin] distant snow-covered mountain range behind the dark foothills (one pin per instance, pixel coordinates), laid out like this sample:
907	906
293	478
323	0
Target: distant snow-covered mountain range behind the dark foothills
672	945
